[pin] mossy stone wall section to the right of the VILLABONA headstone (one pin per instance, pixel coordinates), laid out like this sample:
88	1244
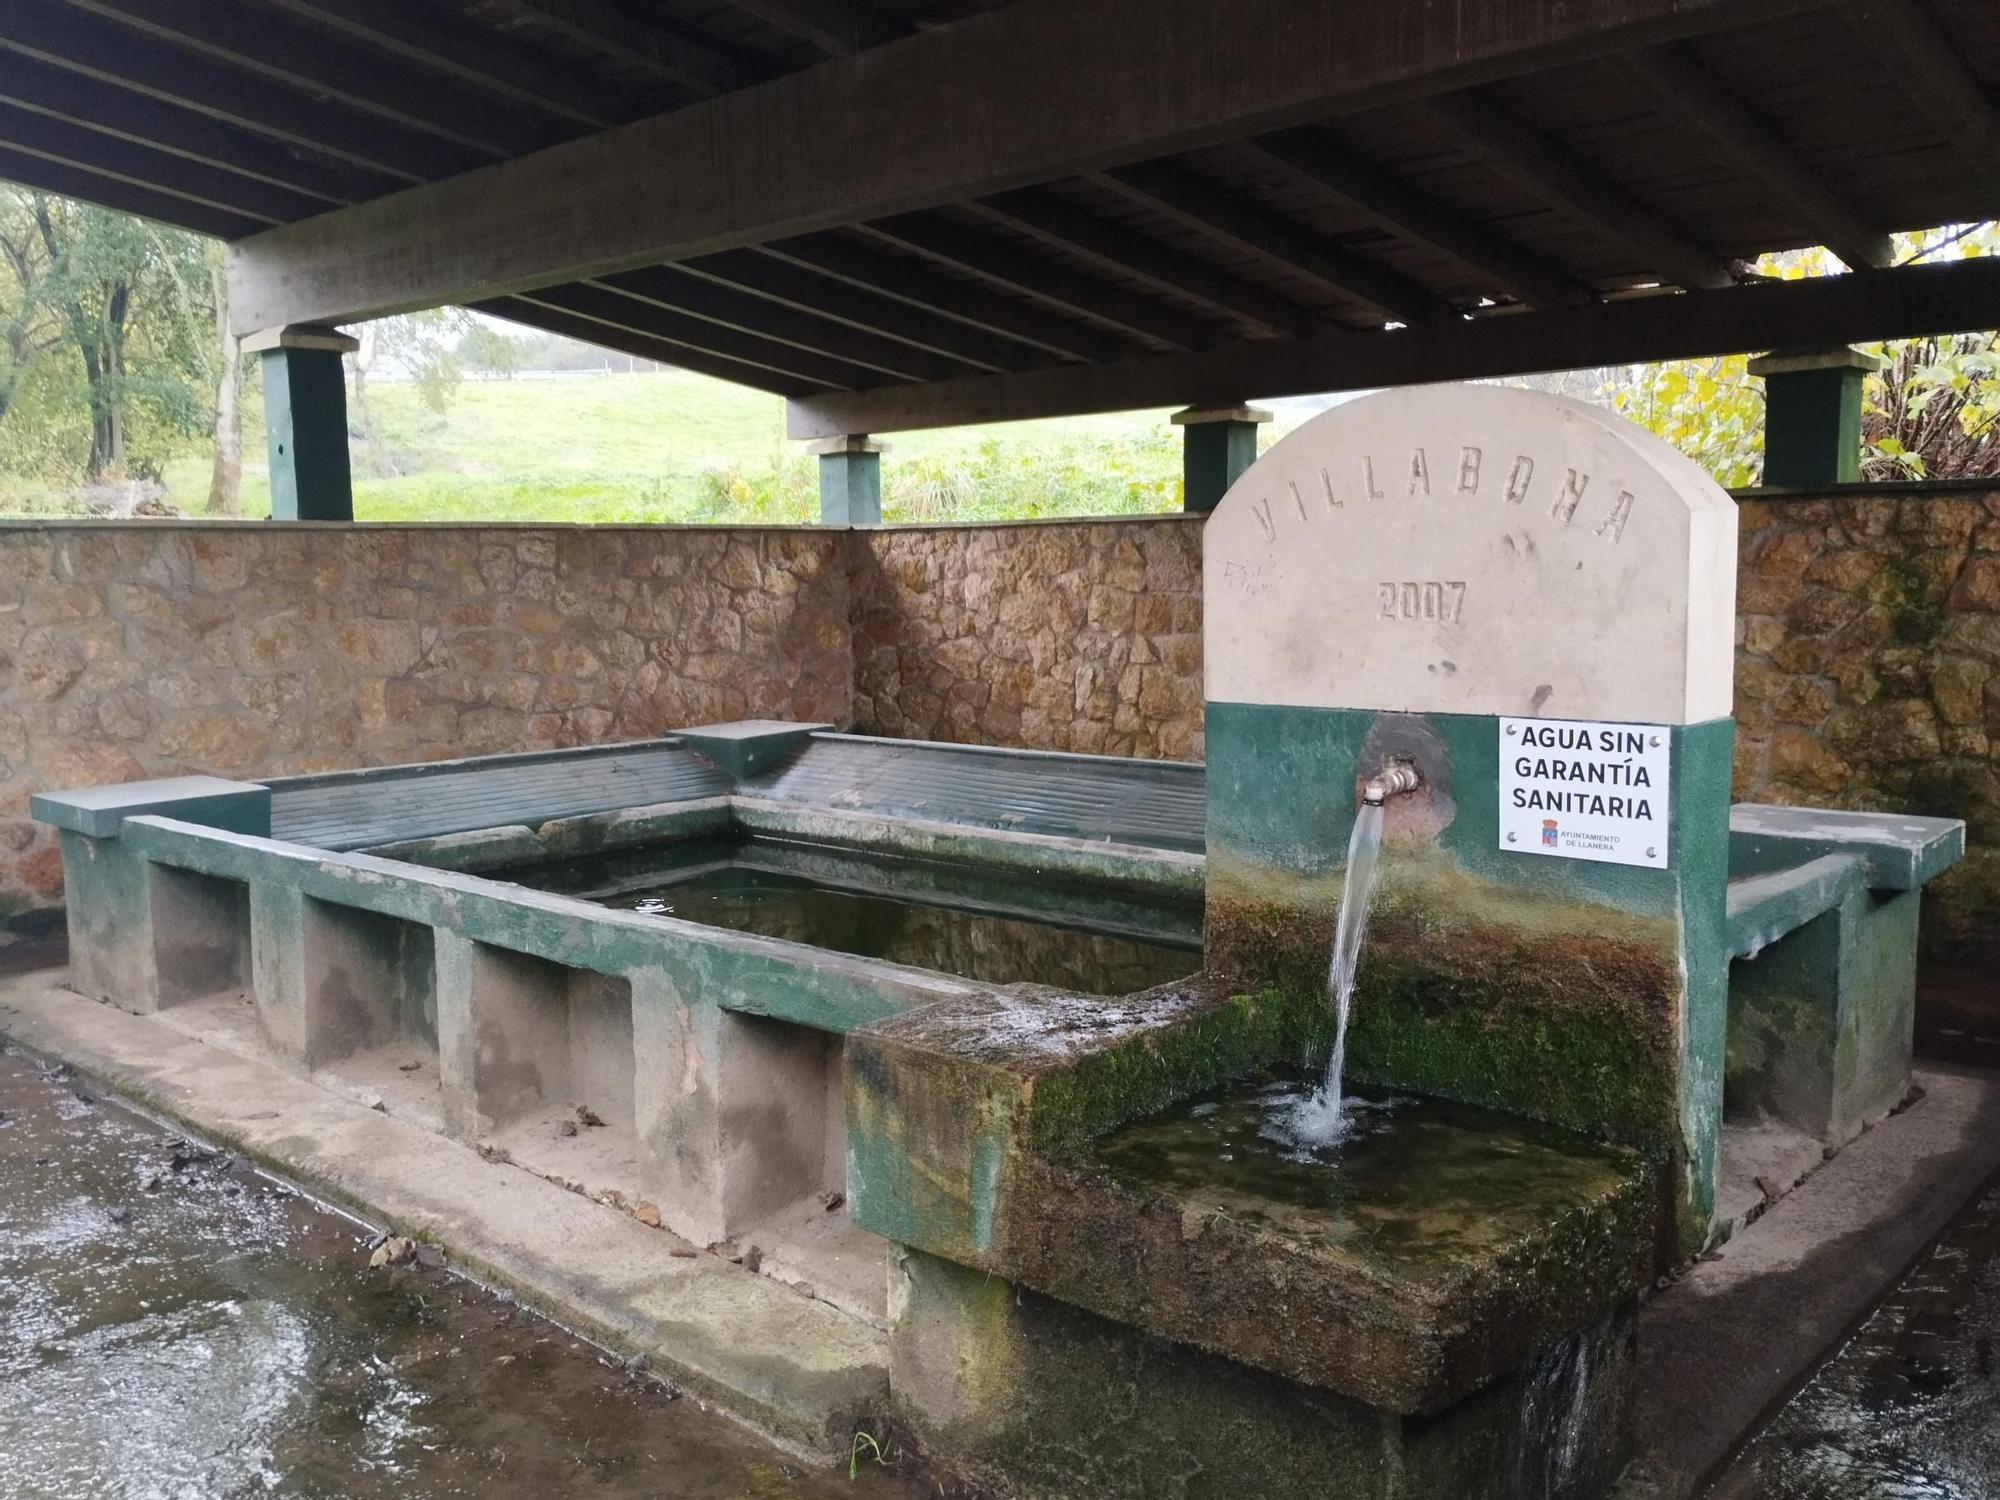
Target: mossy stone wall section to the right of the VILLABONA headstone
1869	673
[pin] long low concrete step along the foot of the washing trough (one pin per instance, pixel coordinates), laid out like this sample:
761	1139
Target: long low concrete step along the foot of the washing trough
793	1367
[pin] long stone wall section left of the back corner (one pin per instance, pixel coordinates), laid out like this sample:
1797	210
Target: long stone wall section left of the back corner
147	649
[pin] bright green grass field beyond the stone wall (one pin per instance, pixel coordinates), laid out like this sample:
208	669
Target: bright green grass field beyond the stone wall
675	447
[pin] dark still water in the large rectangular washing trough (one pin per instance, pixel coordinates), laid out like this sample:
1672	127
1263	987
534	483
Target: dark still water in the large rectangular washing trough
983	925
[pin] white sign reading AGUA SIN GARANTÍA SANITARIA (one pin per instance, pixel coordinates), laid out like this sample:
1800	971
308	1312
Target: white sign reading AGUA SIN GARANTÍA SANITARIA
1585	791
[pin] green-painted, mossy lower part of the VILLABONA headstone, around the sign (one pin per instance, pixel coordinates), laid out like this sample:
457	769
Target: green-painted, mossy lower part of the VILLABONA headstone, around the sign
1593	993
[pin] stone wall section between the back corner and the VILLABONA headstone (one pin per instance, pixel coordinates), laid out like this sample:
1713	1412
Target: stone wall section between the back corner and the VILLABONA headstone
1049	635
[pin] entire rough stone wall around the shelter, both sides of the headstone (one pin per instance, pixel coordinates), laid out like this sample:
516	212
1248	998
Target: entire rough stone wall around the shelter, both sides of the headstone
1869	663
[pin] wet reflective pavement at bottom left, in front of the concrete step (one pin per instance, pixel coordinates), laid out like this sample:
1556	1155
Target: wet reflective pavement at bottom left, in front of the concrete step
177	1327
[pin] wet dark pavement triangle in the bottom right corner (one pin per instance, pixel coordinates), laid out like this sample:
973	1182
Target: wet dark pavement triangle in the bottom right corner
1911	1407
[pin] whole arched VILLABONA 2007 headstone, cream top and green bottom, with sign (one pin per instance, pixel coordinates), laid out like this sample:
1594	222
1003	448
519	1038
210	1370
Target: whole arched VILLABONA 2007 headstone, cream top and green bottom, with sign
1533	603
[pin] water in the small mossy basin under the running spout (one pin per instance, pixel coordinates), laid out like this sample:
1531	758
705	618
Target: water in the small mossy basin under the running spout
1415	1185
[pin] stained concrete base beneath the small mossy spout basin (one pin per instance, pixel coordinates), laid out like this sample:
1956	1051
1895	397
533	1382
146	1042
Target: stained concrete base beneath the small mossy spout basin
1049	1403
